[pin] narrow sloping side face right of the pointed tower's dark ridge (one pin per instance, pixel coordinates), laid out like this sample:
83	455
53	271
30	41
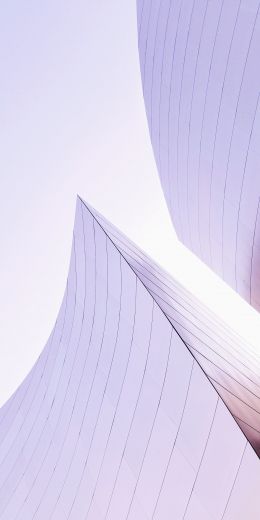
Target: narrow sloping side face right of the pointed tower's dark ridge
231	364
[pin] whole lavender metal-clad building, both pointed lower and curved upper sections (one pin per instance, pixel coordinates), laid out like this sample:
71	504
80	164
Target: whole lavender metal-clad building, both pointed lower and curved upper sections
143	405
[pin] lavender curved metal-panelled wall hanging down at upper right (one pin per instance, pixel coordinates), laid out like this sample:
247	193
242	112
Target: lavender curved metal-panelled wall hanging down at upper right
201	81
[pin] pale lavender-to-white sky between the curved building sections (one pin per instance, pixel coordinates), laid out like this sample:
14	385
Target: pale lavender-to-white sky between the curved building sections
73	121
